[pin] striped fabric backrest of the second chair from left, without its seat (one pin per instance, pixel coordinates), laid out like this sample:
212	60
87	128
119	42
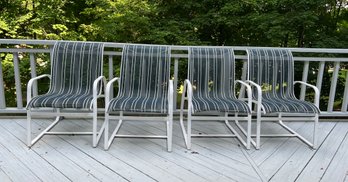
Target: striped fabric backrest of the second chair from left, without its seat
145	71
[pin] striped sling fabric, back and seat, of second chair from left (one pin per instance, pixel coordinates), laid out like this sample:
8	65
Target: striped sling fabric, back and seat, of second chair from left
145	72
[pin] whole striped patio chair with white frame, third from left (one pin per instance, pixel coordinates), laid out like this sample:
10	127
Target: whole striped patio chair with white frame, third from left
210	90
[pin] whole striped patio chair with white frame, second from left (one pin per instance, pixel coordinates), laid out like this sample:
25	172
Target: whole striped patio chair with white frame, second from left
145	91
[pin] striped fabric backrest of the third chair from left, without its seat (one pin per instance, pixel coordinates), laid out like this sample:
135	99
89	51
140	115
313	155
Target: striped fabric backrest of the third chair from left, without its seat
211	71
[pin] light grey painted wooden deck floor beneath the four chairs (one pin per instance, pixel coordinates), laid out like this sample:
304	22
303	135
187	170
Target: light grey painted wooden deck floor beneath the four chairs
71	158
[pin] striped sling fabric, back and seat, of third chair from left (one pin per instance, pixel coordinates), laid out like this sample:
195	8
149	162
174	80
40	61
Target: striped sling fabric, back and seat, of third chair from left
211	72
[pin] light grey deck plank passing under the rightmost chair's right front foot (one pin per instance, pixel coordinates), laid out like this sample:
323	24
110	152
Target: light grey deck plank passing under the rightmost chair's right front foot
298	160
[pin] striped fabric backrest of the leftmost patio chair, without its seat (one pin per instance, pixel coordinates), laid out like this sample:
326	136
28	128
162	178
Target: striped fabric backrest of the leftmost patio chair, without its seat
75	66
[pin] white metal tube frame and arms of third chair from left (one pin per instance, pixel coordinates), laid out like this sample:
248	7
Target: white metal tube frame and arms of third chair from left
187	132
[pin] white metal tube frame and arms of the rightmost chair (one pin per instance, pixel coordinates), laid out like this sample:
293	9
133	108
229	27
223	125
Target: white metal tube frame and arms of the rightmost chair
261	115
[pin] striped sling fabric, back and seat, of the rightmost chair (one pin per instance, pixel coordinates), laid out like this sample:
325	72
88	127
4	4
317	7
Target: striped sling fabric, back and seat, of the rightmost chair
273	70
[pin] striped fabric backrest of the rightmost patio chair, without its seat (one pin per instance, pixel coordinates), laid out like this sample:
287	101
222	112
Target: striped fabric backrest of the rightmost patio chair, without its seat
272	69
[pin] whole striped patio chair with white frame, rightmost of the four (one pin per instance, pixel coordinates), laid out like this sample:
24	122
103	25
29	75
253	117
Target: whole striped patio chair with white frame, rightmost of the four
271	75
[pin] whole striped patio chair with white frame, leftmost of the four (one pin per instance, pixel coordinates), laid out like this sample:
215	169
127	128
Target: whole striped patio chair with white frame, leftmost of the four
76	82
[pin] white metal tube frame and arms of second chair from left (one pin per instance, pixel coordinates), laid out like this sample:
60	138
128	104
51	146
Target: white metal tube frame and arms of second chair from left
168	119
